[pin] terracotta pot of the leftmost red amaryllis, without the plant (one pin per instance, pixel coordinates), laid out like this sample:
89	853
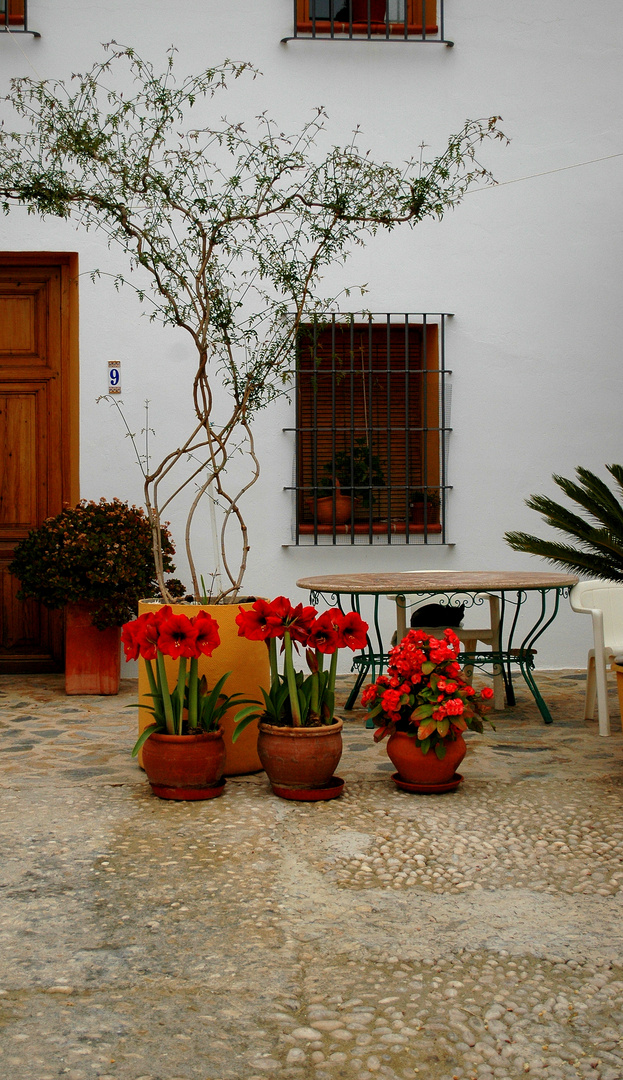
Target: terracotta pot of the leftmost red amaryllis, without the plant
185	767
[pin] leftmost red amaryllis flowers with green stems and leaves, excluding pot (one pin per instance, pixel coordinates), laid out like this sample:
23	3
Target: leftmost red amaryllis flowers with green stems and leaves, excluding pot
160	634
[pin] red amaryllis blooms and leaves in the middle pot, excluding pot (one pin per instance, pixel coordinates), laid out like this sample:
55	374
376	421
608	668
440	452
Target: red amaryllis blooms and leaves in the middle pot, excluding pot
295	700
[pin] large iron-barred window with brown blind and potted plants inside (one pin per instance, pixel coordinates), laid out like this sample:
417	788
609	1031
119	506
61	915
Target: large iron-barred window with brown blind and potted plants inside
372	412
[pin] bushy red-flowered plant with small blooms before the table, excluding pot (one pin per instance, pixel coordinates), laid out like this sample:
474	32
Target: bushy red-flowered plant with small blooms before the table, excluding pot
425	695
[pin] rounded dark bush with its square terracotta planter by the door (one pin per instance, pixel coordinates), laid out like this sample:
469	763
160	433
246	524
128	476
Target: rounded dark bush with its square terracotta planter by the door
96	561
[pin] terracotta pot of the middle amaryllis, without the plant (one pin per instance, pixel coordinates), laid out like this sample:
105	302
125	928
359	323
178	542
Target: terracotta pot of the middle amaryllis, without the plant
301	759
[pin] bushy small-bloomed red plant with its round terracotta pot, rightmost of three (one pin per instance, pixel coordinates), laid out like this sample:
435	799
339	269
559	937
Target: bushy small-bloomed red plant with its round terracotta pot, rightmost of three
425	705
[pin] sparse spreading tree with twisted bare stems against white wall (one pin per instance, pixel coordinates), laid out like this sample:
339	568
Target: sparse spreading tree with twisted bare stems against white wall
229	233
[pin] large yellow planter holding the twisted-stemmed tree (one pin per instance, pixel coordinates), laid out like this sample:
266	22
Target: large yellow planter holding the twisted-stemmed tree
249	665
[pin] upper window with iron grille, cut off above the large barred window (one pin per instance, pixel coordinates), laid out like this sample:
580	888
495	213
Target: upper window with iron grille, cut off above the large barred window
370	20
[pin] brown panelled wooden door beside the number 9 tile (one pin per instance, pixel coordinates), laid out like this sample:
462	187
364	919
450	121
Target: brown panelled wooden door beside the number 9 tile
38	437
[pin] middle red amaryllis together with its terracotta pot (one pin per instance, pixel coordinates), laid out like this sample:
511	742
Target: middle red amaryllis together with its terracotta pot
300	741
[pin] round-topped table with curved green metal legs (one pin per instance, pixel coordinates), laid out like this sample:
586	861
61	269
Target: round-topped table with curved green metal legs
506	591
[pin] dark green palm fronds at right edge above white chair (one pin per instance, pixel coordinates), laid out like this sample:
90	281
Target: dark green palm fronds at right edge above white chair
599	536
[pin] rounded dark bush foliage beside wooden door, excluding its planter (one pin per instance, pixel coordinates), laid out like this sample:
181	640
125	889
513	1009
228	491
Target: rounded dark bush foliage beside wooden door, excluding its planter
99	553
